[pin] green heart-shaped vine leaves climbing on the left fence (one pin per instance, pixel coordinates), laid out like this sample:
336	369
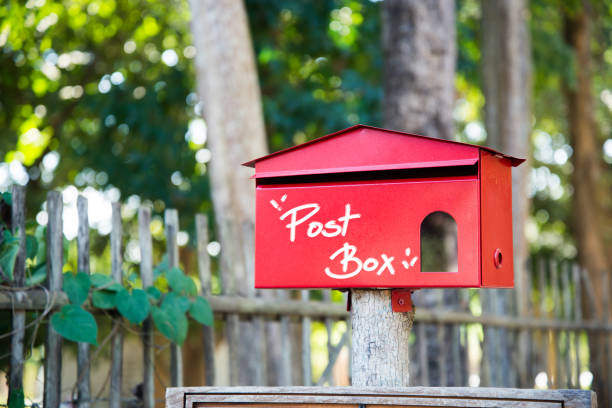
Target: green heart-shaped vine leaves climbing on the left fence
169	302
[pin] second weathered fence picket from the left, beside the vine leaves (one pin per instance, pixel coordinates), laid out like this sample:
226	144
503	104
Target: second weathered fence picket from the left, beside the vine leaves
55	264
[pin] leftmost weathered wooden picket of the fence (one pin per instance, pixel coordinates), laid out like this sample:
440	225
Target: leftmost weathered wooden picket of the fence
18	214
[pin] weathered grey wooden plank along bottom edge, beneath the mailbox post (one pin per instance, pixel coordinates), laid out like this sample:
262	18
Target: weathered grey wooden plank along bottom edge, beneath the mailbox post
382	396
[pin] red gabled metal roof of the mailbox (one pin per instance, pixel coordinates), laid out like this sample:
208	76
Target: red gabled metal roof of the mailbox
367	148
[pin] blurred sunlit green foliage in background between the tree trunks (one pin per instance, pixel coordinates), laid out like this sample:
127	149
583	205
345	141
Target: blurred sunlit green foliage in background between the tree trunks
101	94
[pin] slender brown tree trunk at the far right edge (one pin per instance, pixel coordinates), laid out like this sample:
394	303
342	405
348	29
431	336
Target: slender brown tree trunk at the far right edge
587	210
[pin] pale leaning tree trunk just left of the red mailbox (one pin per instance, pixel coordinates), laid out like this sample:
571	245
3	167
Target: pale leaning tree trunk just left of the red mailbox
229	90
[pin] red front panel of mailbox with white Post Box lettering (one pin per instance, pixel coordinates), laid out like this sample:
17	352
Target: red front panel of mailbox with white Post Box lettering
361	233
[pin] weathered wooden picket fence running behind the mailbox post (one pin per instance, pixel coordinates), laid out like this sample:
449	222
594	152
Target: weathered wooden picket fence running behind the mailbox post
269	333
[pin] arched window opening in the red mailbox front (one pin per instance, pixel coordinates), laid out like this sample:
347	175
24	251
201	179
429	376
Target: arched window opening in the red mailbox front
439	243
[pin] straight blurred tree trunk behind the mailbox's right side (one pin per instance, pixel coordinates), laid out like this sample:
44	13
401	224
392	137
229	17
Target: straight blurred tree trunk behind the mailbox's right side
506	85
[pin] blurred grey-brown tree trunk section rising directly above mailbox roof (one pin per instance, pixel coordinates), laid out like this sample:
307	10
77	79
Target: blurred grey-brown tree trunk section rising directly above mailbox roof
420	52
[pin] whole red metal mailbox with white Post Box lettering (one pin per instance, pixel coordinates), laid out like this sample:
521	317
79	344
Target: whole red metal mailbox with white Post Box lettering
345	211
